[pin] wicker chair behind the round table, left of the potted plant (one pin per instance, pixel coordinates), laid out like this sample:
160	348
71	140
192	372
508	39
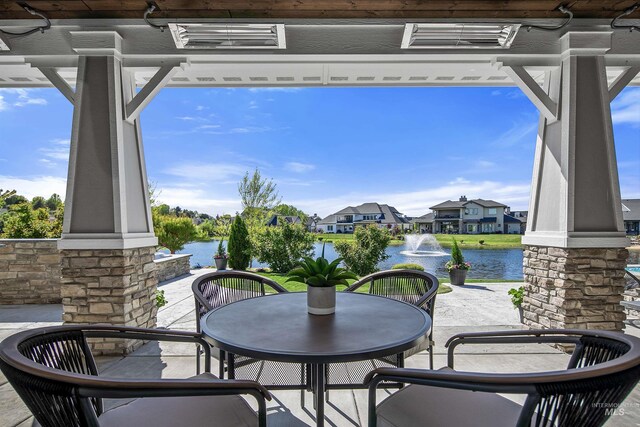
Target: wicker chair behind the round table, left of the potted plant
219	288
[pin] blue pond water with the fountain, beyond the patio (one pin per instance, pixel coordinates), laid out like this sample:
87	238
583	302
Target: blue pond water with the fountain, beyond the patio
499	264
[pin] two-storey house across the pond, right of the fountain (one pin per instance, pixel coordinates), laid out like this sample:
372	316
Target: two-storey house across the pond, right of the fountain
474	216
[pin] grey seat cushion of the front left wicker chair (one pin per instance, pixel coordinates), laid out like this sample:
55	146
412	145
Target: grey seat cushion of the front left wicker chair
223	411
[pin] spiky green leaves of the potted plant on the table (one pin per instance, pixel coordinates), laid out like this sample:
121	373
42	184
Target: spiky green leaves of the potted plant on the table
320	273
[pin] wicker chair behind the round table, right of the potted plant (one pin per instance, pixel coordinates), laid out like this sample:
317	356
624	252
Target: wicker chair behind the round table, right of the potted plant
411	286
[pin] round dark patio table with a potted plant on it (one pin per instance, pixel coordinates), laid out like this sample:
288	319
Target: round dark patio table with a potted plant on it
277	327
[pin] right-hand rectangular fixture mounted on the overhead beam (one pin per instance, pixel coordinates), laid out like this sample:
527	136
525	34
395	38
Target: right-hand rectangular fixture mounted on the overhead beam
459	36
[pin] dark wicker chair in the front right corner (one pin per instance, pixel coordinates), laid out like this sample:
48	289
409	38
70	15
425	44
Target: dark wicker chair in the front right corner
602	371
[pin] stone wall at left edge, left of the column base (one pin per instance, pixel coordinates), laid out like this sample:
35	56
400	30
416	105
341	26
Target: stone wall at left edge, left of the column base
29	271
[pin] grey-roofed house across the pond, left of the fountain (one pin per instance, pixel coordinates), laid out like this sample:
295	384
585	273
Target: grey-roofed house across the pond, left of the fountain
345	220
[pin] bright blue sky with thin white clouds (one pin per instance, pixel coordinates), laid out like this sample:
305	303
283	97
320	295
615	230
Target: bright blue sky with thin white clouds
326	148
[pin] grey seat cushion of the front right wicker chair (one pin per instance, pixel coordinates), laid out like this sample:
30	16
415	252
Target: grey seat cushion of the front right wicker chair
417	405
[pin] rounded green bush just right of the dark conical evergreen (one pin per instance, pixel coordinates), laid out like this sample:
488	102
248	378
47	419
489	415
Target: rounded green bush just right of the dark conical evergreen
284	246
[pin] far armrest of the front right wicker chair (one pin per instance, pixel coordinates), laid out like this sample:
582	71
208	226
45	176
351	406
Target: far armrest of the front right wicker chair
535	336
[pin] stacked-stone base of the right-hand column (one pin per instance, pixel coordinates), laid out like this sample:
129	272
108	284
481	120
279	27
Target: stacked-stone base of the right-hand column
574	288
